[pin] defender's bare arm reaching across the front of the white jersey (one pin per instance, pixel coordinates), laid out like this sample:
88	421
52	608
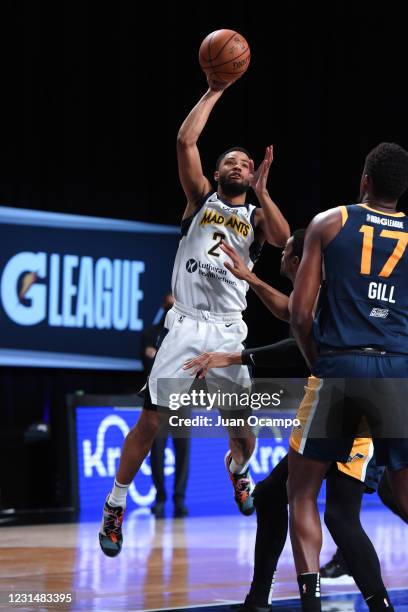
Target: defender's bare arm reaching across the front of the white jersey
274	300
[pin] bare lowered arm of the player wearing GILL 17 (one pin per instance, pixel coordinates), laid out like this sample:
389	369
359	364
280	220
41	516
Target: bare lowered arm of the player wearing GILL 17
320	232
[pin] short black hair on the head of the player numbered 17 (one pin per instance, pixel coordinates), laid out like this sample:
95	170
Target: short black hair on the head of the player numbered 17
387	166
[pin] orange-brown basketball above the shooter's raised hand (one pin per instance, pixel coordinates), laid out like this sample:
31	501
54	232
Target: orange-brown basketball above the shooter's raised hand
224	55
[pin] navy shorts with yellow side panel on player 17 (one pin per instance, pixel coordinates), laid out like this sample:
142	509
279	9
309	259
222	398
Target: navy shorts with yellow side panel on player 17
339	415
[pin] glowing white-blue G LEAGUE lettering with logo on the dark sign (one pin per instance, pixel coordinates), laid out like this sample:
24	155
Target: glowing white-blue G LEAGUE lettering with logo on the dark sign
72	291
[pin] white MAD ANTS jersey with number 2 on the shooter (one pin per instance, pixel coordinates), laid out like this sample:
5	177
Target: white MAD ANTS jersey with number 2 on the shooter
200	279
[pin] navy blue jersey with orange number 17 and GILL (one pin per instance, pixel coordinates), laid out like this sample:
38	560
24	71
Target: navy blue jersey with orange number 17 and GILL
364	297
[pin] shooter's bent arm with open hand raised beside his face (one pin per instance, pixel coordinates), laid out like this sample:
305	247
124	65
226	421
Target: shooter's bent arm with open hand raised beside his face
270	224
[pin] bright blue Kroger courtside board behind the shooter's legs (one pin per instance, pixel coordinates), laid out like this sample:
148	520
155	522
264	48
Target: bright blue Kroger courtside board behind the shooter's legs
100	432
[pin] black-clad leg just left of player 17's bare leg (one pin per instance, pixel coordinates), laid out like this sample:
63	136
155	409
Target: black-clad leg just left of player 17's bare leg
271	503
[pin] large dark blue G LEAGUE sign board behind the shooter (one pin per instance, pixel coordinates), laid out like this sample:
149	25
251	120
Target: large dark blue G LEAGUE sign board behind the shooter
77	291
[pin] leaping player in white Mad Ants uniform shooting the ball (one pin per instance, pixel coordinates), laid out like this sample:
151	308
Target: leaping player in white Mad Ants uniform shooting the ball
207	314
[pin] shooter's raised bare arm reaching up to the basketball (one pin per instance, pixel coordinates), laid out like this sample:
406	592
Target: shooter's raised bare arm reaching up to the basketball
193	181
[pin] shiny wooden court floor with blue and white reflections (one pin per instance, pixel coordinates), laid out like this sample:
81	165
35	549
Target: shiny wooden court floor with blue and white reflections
166	563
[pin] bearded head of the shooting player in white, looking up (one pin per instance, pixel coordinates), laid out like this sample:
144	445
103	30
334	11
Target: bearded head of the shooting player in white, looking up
232	171
